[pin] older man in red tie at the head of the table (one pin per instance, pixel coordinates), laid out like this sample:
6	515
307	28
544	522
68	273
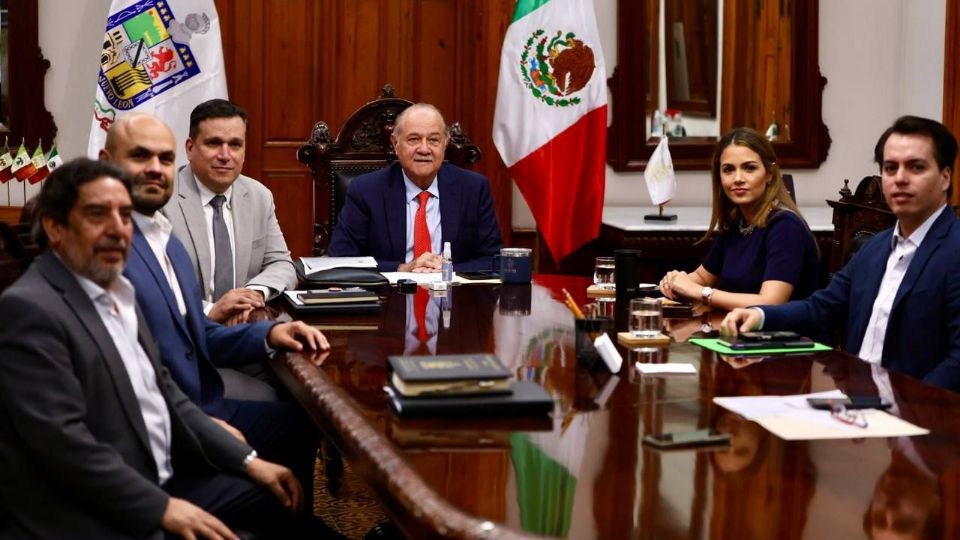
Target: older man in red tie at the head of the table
382	215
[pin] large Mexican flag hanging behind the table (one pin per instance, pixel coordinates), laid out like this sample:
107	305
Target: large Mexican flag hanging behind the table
550	125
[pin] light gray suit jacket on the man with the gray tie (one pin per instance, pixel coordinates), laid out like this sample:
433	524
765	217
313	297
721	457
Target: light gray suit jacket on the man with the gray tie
262	257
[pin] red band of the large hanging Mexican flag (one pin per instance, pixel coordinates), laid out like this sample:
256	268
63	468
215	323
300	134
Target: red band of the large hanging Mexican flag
563	183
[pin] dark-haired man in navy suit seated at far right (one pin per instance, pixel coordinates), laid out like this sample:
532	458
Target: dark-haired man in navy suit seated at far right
900	294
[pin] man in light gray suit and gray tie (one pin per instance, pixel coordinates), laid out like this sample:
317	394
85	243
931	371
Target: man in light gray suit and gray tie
227	221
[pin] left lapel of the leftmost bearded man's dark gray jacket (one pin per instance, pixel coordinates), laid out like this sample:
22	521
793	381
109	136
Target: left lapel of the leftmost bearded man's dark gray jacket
82	306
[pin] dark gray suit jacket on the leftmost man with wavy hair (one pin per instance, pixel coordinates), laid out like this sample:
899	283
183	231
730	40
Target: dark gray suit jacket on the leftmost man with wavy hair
75	459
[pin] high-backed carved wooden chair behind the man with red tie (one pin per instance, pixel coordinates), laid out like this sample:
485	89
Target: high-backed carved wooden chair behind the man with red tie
363	145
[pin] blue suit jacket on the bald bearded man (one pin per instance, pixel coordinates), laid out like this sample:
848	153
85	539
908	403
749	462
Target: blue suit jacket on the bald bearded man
190	347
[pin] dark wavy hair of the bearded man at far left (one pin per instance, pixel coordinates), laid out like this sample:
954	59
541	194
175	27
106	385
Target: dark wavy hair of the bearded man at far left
61	190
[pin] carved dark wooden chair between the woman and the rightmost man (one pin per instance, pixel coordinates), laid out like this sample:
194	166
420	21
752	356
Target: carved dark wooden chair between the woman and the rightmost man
857	216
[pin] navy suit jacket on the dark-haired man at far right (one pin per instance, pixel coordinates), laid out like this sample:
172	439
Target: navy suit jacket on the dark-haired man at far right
923	333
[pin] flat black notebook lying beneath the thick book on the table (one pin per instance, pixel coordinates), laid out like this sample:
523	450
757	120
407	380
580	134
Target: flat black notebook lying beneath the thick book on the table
525	399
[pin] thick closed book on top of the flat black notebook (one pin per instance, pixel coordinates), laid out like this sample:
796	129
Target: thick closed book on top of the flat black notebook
448	374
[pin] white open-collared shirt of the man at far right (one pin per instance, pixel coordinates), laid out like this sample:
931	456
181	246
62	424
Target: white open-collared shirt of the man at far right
901	254
